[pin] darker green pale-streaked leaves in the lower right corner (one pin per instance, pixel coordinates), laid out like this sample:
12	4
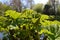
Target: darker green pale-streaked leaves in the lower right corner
55	29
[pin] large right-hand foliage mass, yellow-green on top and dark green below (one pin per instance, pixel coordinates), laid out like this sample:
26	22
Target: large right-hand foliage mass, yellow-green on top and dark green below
50	28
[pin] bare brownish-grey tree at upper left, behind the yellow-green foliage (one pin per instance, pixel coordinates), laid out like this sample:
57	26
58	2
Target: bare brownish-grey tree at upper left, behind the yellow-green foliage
16	5
